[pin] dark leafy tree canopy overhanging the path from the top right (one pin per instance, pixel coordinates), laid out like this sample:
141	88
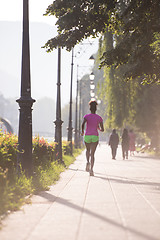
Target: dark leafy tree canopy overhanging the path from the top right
135	22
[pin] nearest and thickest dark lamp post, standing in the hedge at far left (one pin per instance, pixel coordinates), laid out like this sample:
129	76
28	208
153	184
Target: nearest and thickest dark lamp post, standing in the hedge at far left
25	101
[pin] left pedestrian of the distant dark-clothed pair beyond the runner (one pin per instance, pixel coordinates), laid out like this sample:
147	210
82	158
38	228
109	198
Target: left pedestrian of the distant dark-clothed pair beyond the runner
113	142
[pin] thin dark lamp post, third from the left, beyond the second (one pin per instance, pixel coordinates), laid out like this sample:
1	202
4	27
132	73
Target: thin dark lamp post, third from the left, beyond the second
70	109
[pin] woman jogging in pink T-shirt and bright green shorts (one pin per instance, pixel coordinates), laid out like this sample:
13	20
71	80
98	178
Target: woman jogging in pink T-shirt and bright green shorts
93	122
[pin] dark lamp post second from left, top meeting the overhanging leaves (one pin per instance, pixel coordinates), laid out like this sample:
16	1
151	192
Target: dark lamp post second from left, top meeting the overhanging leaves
58	122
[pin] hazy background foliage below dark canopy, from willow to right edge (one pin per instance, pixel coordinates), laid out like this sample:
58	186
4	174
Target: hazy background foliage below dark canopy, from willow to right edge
130	103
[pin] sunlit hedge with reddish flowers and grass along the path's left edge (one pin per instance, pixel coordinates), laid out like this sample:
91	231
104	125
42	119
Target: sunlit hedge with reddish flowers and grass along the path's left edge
14	186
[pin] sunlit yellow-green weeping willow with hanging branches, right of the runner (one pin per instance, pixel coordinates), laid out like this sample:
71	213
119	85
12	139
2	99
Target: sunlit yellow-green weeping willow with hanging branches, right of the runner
118	93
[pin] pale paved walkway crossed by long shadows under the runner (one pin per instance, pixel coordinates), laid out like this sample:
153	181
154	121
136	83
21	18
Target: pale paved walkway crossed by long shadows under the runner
121	202
